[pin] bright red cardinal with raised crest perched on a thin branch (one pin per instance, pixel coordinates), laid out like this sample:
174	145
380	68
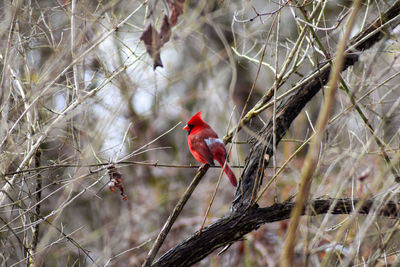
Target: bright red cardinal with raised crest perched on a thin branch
205	145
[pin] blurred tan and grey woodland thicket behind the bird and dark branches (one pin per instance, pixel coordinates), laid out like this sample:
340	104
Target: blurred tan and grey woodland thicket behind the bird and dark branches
79	95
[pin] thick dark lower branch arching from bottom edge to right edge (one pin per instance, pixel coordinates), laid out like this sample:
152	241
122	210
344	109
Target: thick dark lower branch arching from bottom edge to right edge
232	228
